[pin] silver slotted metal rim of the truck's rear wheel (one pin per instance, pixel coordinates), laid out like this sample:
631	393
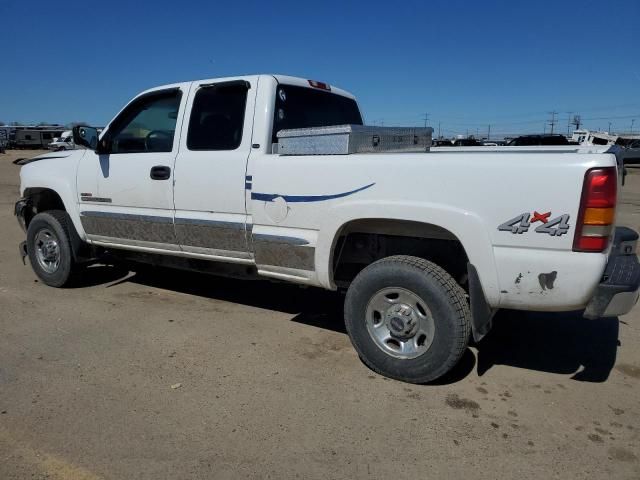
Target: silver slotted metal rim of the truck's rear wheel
400	323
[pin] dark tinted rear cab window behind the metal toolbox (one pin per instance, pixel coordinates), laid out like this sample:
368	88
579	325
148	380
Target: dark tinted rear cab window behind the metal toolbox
301	107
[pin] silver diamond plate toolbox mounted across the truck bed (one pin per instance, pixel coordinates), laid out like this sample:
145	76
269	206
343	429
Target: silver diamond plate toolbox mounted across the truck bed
345	139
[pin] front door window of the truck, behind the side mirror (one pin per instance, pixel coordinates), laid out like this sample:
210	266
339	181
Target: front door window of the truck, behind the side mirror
147	125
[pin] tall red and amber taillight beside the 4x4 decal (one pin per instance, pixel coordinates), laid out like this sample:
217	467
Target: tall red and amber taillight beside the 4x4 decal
597	210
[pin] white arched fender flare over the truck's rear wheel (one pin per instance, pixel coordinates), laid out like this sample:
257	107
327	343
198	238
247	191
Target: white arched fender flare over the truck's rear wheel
466	226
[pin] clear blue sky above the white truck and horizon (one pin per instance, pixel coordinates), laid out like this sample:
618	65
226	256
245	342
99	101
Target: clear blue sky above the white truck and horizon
468	64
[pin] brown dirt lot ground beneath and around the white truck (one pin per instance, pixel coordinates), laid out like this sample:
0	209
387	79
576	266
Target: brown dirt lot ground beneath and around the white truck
271	387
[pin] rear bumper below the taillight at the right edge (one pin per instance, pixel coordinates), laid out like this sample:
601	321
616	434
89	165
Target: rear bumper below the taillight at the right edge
618	291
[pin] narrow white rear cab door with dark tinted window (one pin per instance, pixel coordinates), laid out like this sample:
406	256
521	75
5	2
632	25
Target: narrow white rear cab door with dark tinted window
210	216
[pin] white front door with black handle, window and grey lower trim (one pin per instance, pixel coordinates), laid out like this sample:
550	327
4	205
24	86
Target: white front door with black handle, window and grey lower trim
126	195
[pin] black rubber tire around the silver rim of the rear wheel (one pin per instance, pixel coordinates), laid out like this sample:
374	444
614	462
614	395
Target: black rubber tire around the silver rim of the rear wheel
445	302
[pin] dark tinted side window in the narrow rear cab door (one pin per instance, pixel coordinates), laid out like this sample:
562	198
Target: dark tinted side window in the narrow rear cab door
217	117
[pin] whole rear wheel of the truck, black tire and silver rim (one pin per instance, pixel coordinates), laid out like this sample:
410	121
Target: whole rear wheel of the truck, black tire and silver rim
407	319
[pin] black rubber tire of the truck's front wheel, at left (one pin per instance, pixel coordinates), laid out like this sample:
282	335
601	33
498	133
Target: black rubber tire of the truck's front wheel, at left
57	224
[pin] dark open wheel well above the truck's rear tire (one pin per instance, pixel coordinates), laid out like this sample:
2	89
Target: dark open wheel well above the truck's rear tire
362	242
